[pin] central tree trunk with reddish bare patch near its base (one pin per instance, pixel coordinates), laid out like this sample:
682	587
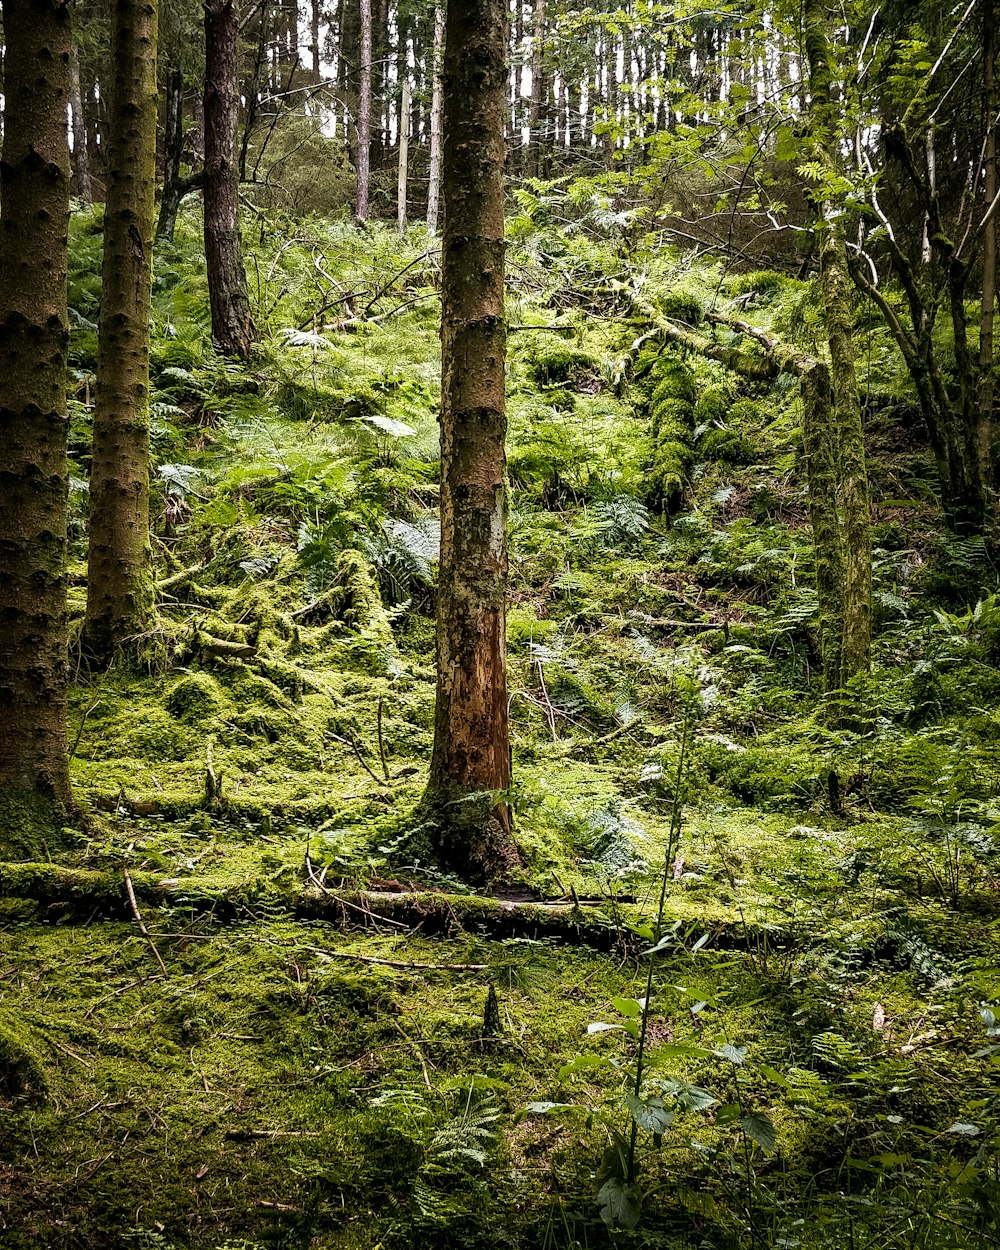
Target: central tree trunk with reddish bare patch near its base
471	762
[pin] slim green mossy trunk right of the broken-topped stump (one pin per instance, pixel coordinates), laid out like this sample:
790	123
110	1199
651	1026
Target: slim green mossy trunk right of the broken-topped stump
848	453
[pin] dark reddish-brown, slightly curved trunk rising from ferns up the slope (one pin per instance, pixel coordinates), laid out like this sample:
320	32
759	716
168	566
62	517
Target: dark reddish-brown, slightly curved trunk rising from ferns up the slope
232	324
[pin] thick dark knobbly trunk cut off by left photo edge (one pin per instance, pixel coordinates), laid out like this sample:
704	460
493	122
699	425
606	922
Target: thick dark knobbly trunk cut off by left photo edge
34	334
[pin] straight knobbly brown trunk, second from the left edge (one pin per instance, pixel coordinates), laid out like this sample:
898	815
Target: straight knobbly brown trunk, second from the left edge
121	592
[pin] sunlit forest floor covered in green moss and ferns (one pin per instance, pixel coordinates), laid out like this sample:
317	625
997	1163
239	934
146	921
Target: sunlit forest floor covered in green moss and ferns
236	1016
